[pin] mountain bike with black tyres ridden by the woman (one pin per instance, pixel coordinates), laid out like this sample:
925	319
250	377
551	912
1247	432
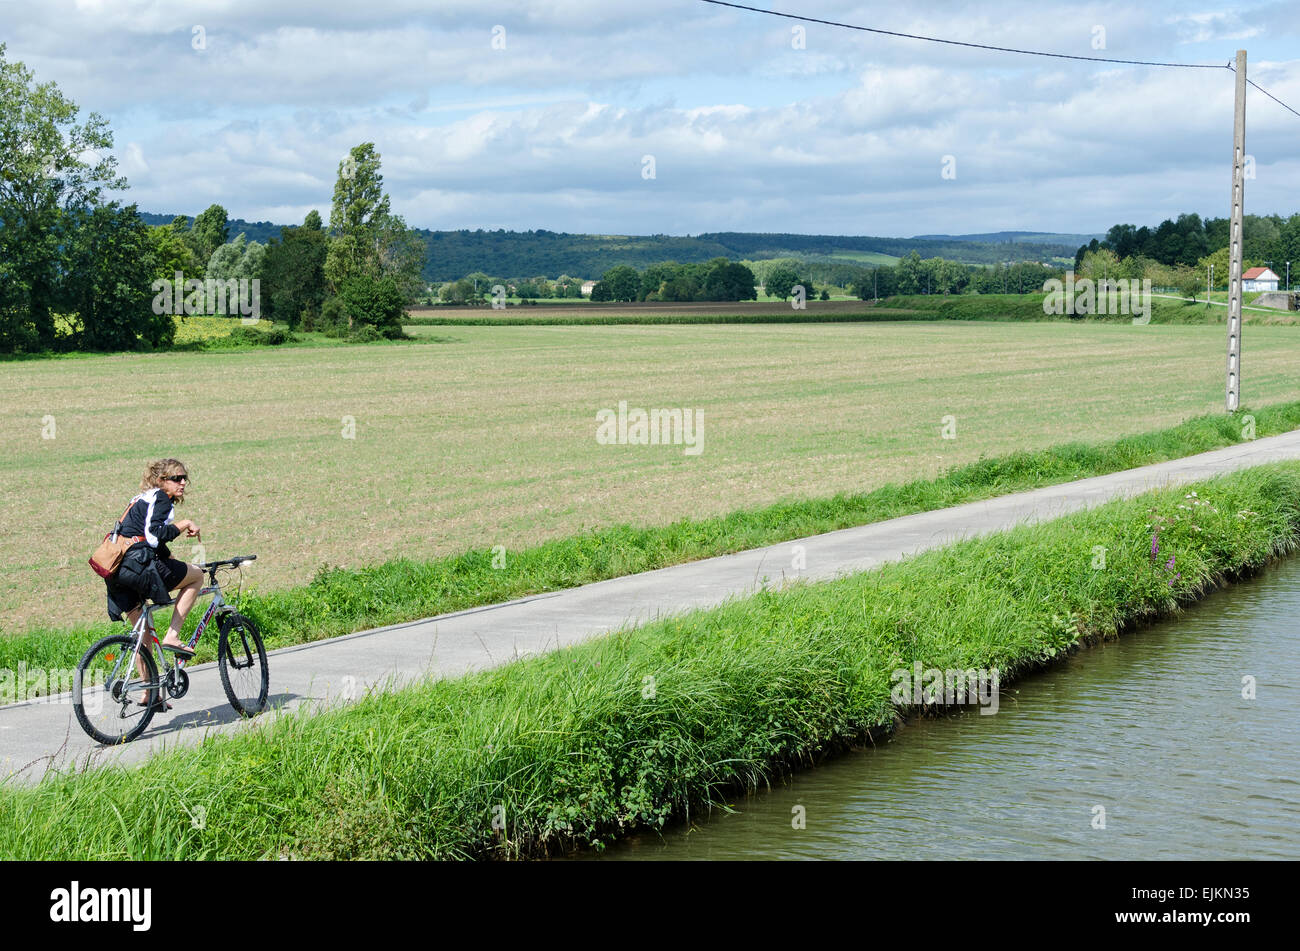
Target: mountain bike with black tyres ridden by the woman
119	670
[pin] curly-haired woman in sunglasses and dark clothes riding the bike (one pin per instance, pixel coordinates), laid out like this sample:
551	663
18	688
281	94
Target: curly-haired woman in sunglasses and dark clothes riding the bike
150	519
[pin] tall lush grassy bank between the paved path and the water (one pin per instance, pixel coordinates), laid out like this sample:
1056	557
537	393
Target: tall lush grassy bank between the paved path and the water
636	729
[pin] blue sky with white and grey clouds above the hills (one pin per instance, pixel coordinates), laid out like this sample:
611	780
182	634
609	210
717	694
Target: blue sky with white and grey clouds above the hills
681	116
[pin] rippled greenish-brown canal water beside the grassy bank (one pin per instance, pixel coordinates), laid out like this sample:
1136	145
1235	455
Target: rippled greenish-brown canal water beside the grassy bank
1149	736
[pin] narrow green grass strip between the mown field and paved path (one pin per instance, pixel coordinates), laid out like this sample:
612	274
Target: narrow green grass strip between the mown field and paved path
344	601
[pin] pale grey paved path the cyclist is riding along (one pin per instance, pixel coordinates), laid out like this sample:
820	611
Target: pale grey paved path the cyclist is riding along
40	733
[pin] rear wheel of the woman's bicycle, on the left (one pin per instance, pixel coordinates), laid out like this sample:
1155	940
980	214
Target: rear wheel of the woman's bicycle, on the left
107	689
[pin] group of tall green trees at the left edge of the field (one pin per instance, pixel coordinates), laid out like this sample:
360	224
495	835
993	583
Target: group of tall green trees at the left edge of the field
83	272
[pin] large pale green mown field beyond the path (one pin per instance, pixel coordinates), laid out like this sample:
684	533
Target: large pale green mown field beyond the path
488	437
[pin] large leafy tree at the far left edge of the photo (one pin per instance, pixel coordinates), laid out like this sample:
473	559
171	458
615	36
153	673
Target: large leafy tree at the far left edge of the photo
51	170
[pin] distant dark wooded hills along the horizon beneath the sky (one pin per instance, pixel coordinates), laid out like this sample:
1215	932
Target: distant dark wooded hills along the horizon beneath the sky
526	254
